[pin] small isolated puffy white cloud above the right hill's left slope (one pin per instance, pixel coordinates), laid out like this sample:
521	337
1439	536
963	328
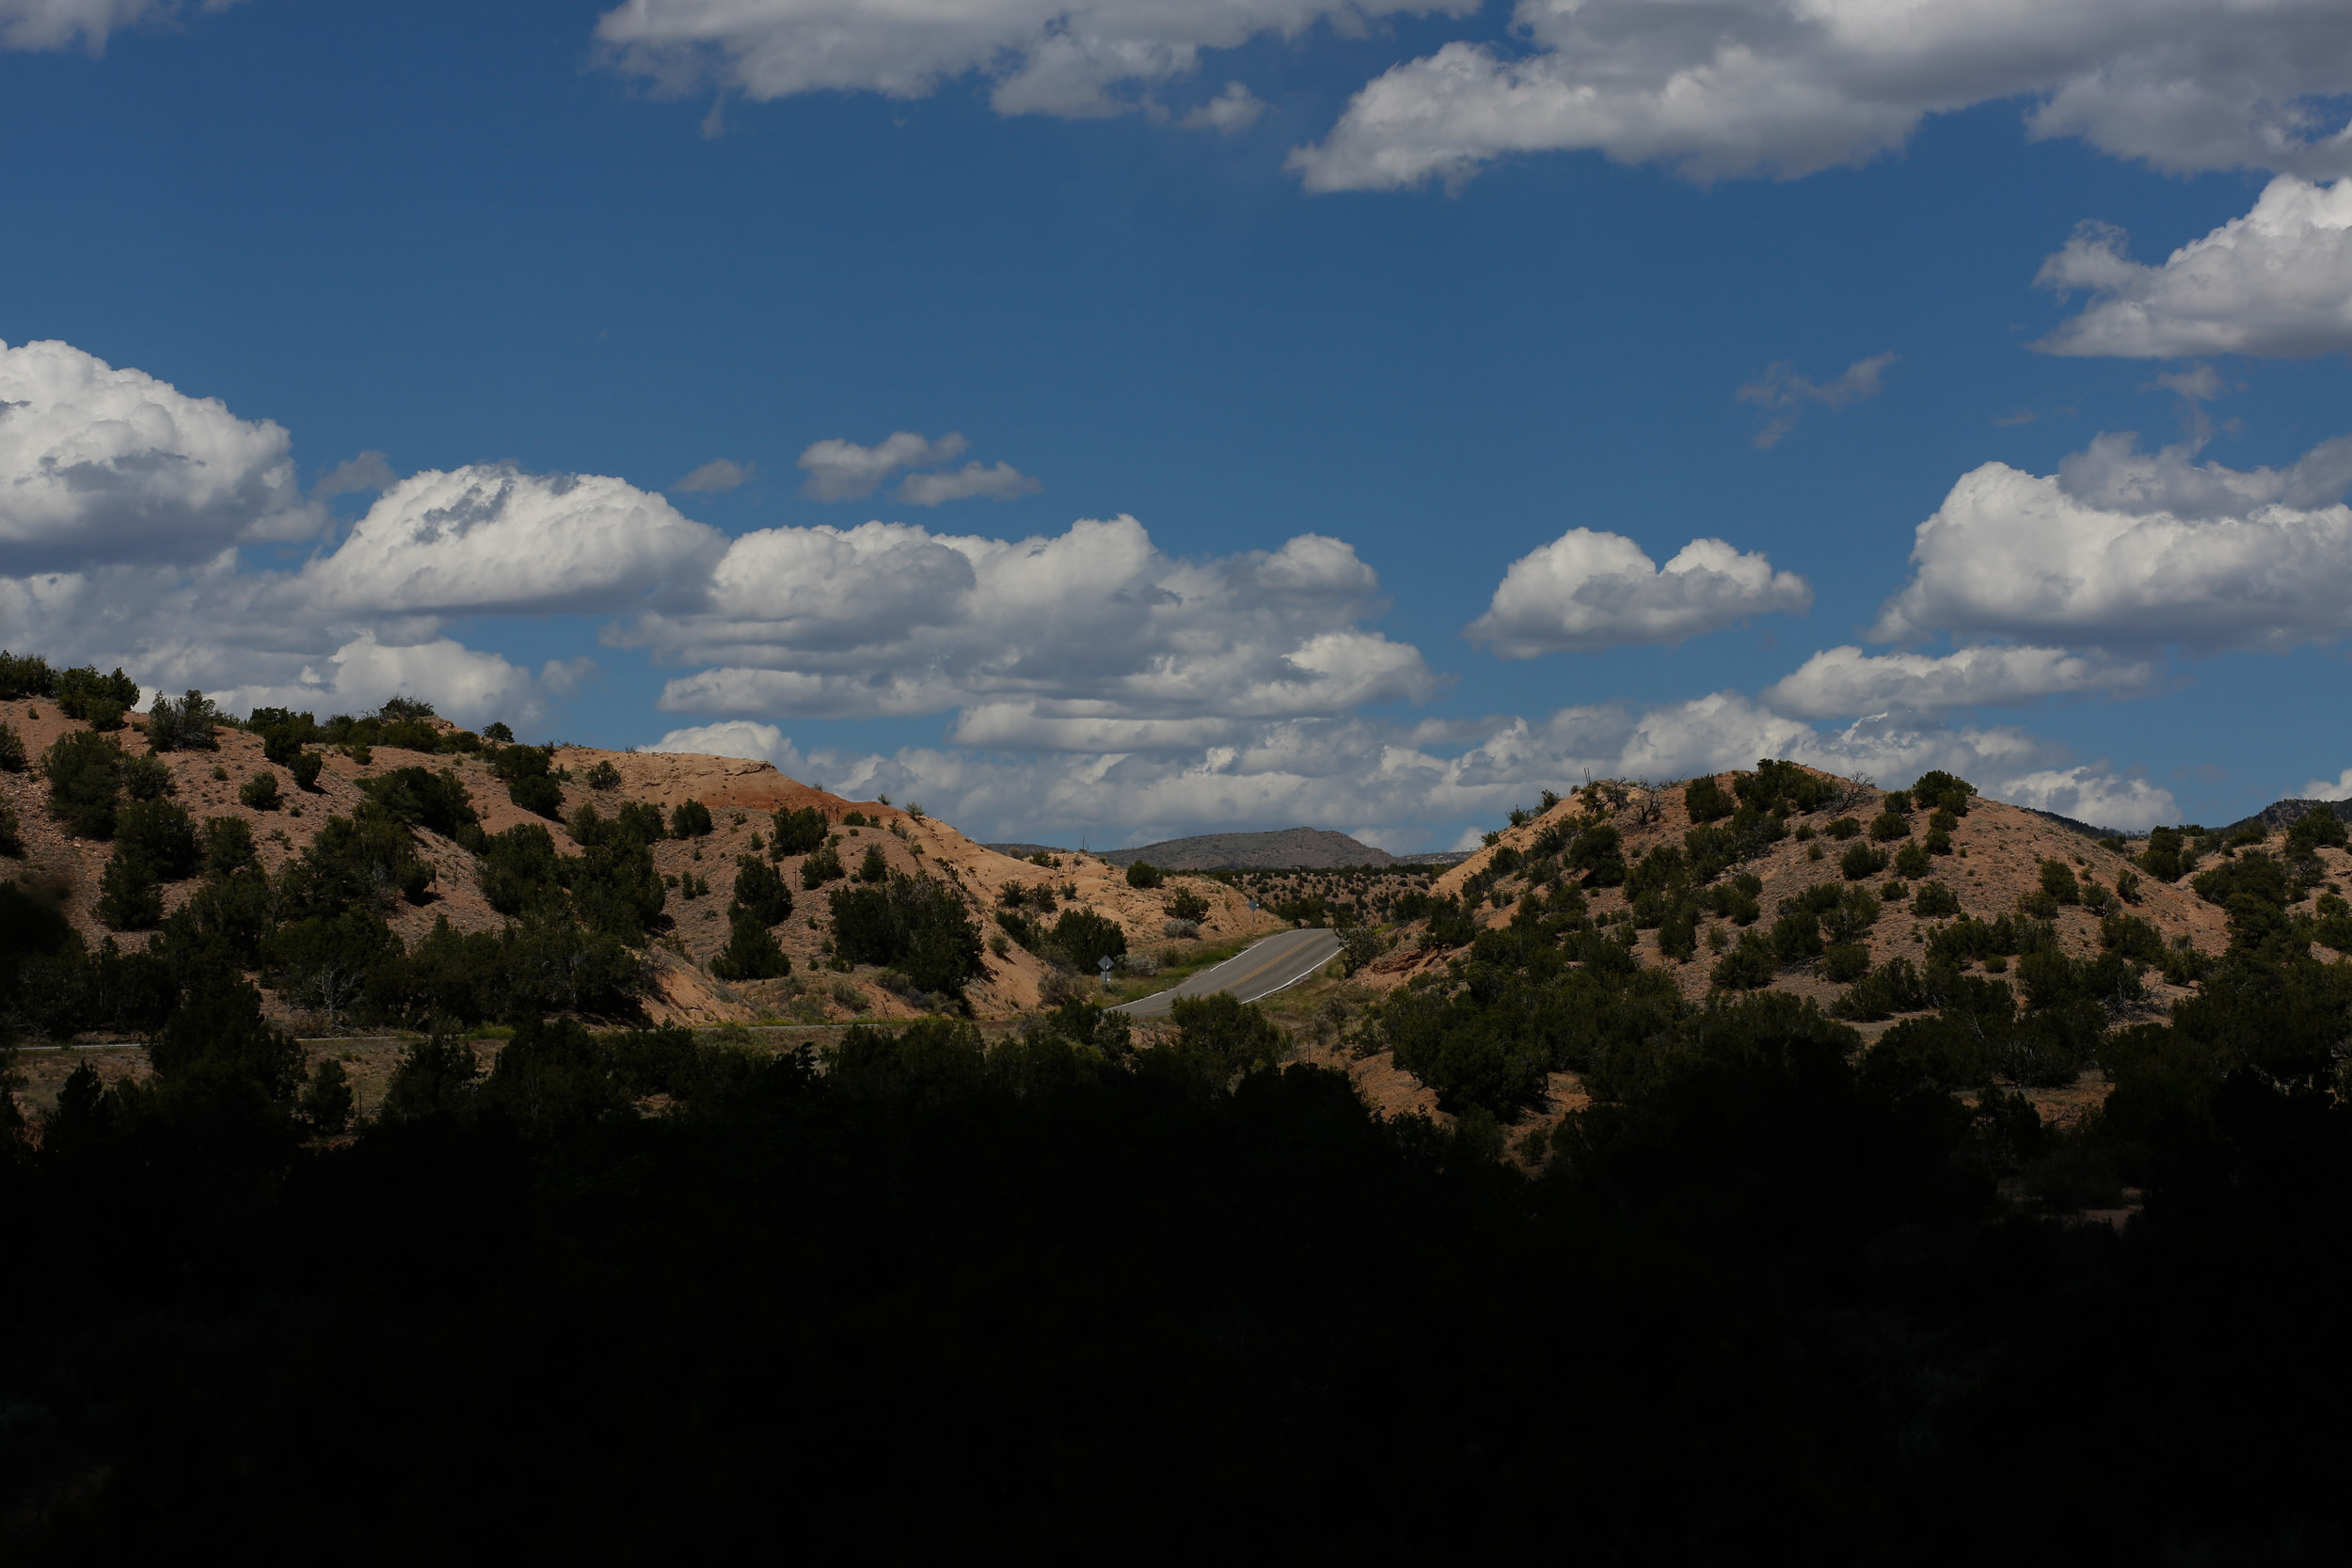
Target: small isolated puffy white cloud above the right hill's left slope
1596	591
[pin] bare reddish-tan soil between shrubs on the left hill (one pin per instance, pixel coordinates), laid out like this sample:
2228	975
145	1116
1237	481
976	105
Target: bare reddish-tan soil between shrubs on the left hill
742	796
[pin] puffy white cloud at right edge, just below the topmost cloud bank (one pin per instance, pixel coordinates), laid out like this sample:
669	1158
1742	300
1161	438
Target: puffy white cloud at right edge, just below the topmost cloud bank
2276	283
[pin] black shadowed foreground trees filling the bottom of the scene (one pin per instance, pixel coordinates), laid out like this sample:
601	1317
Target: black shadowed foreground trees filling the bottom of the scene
641	1296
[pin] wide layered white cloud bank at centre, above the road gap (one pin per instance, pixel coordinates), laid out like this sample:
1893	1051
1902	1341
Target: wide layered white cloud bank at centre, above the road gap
1071	641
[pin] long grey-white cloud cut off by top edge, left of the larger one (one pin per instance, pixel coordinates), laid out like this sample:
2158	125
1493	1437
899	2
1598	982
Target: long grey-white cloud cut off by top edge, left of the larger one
1057	58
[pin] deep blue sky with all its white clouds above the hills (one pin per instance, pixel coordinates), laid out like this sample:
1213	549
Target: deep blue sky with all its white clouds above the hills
1283	344
